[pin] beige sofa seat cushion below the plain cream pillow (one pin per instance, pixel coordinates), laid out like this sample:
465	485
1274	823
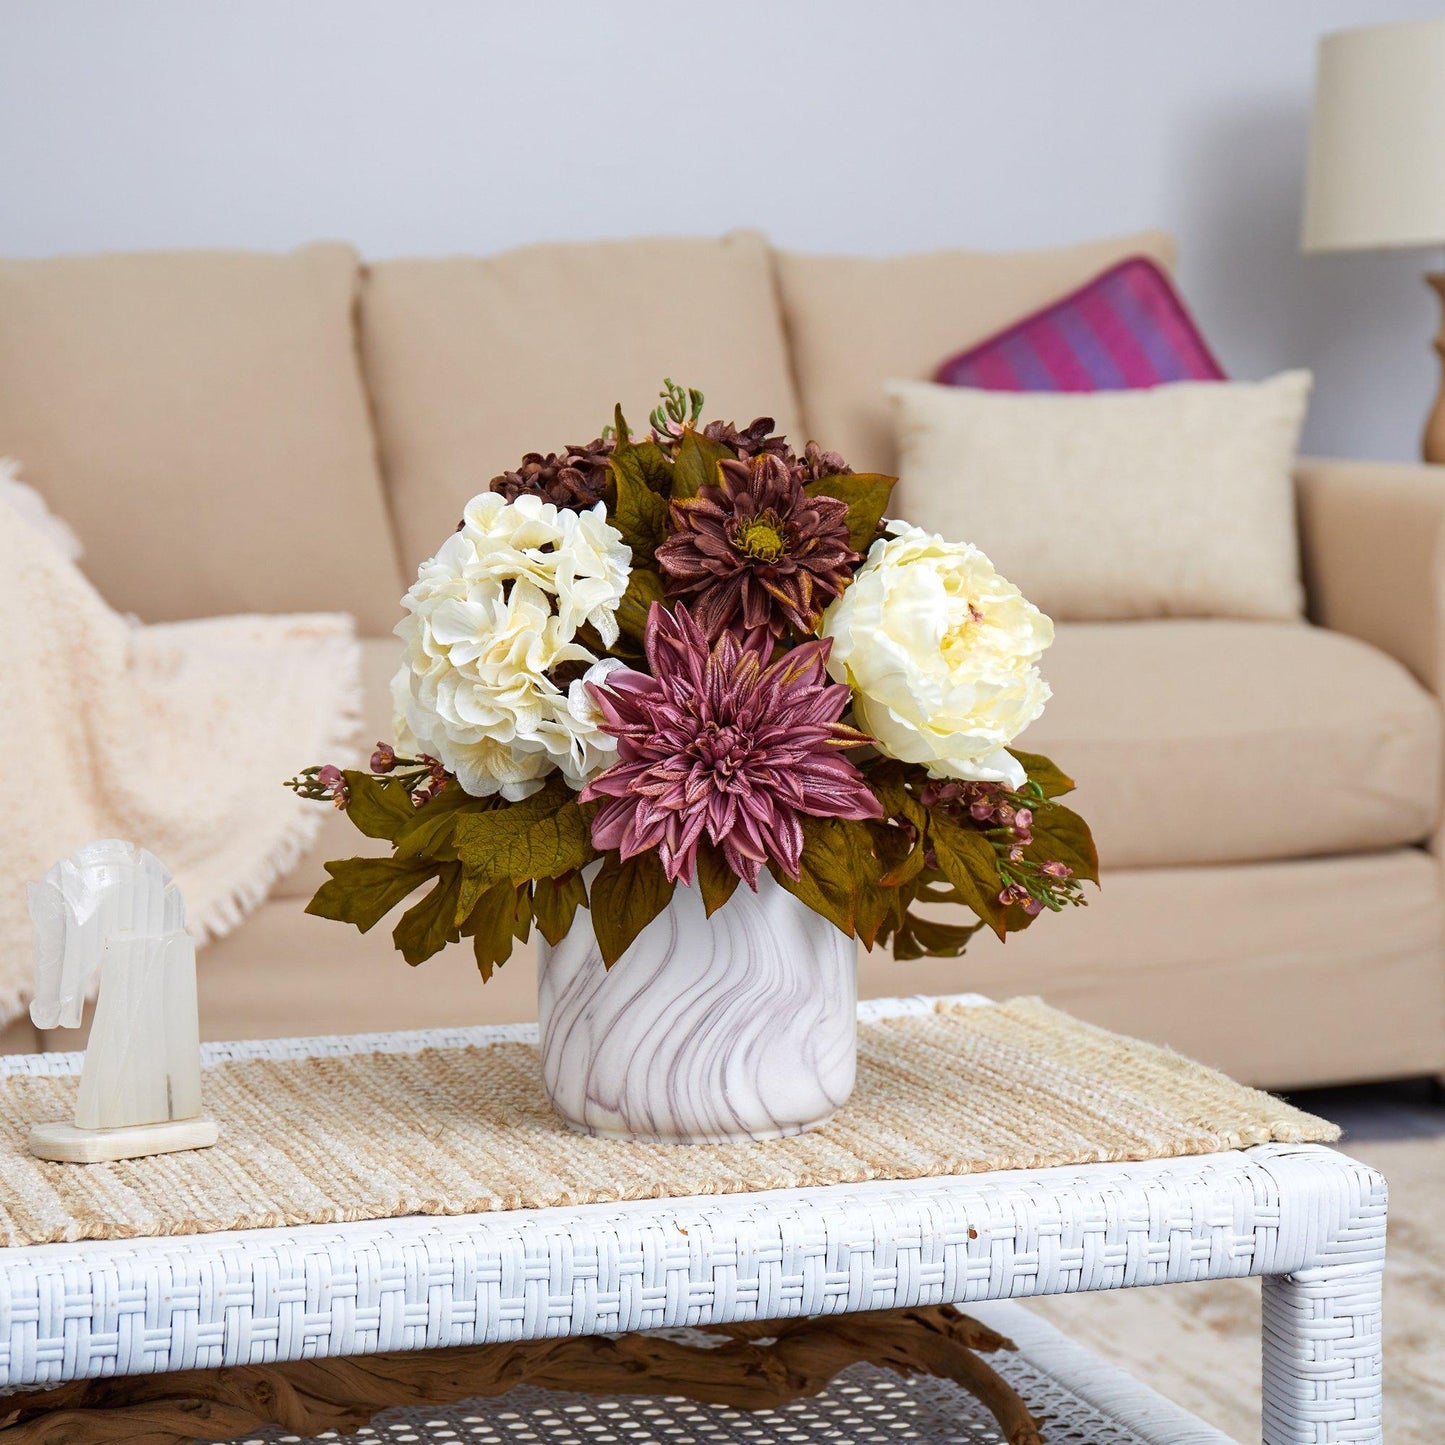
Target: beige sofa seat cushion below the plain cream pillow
1235	742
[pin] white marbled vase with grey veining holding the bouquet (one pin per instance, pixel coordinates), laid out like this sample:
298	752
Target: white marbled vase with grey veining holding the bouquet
707	1030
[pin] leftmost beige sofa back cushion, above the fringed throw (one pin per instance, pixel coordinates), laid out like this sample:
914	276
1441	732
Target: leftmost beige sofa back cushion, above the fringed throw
199	418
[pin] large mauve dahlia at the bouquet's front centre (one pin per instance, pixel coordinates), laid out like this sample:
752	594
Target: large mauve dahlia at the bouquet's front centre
717	745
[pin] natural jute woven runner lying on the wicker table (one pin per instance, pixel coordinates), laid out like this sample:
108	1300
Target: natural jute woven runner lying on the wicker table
462	1131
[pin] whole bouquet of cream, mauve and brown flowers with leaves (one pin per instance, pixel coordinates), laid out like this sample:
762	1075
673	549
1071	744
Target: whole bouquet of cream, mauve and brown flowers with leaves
693	657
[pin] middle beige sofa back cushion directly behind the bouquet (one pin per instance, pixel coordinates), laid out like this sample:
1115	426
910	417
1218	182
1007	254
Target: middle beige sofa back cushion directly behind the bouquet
476	362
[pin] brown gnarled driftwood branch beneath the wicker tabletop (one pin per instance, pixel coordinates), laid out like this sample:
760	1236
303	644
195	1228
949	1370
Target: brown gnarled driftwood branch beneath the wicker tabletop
755	1366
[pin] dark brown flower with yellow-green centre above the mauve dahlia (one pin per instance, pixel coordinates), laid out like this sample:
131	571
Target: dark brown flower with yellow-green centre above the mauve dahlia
756	551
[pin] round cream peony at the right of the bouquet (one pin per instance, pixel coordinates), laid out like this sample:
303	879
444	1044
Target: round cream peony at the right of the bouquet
941	655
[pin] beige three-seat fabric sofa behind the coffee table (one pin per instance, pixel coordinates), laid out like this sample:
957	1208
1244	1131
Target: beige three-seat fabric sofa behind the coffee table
233	433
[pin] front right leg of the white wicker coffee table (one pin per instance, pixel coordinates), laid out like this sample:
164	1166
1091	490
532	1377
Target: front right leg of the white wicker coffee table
1324	1356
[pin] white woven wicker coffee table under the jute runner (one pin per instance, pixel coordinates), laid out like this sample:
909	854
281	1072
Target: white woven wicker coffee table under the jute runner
1307	1219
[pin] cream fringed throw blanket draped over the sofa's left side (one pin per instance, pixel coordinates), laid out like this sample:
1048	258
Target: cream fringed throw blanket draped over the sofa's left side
177	738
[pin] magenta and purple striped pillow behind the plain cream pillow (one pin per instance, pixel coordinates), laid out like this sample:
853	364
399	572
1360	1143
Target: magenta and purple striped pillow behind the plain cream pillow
1125	330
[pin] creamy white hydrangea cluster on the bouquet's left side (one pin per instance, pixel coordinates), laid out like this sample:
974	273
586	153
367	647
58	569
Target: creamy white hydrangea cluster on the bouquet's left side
489	619
